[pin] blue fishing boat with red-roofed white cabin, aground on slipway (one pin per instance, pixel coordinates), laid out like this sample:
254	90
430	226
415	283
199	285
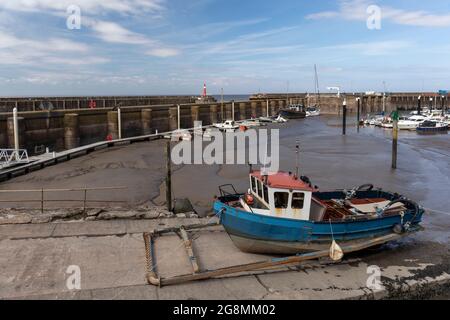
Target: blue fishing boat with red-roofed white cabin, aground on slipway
286	214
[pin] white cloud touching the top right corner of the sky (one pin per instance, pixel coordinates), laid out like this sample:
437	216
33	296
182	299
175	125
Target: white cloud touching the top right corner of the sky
356	10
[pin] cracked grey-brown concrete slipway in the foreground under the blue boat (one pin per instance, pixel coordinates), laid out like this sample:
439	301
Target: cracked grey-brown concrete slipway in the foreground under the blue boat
111	257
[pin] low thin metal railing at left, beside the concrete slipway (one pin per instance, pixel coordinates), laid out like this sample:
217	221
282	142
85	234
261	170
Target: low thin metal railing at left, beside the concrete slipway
43	200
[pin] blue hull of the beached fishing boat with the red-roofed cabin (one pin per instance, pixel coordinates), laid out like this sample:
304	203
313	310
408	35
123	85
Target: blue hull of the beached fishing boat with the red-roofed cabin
273	235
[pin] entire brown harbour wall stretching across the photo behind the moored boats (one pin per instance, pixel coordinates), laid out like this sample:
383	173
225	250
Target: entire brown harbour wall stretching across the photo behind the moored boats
66	129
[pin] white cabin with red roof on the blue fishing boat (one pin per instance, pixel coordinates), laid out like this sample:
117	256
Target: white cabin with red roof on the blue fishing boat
281	195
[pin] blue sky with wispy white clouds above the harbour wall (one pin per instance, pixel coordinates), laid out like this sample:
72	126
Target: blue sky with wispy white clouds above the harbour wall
163	47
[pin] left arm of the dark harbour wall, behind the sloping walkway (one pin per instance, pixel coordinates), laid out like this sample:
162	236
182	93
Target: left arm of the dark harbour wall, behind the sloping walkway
65	129
